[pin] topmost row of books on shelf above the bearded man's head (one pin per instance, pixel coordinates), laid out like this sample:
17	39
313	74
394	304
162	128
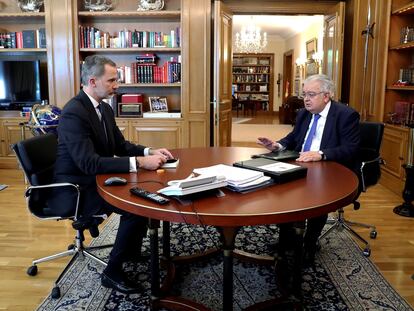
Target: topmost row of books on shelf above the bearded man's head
91	37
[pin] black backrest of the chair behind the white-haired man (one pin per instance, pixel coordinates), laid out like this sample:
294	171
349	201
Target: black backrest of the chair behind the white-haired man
369	155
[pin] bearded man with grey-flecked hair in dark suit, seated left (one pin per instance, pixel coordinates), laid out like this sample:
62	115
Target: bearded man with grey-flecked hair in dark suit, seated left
90	143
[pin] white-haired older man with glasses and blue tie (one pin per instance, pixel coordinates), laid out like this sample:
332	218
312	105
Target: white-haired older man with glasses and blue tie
324	131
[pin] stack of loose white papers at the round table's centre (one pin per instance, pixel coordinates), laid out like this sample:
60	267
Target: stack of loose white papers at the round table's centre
238	179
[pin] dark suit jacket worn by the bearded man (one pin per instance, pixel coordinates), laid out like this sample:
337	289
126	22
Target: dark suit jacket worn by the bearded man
83	153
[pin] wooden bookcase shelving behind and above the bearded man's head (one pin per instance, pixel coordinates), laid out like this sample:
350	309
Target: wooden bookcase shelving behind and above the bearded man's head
124	16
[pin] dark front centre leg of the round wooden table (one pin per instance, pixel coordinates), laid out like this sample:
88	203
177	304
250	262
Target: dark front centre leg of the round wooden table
228	235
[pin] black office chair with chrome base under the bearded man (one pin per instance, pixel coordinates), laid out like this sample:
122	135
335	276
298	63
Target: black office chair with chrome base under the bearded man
37	156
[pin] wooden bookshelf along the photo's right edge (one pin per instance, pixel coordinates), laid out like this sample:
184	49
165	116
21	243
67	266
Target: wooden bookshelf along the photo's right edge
398	109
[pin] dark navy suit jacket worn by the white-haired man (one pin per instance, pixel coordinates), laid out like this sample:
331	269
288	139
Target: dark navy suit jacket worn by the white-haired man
340	138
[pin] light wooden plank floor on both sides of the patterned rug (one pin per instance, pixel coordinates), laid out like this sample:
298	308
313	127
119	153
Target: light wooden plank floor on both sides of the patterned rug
23	238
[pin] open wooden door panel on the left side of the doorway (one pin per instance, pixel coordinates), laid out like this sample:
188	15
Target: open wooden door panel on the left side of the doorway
222	74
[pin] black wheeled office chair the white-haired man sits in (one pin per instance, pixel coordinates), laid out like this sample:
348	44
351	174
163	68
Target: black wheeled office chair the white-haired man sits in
369	174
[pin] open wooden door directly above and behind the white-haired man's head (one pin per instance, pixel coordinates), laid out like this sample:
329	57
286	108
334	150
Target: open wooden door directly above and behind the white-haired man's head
333	45
